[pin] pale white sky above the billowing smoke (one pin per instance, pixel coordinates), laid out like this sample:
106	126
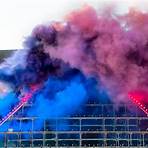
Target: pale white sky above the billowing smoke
19	17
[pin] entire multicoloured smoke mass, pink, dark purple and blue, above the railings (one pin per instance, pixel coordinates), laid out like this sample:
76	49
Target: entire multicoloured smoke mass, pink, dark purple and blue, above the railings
79	59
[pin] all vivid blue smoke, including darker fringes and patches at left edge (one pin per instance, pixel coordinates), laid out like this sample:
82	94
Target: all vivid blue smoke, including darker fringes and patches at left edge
58	97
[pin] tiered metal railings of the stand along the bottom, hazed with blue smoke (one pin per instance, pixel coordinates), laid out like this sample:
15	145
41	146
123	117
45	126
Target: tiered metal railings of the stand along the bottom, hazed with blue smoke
100	125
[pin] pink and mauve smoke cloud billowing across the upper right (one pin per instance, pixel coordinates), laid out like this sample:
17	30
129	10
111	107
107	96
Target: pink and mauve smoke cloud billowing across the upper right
112	48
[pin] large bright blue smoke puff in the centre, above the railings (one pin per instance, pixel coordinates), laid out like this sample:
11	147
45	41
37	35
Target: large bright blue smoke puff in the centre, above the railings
58	98
